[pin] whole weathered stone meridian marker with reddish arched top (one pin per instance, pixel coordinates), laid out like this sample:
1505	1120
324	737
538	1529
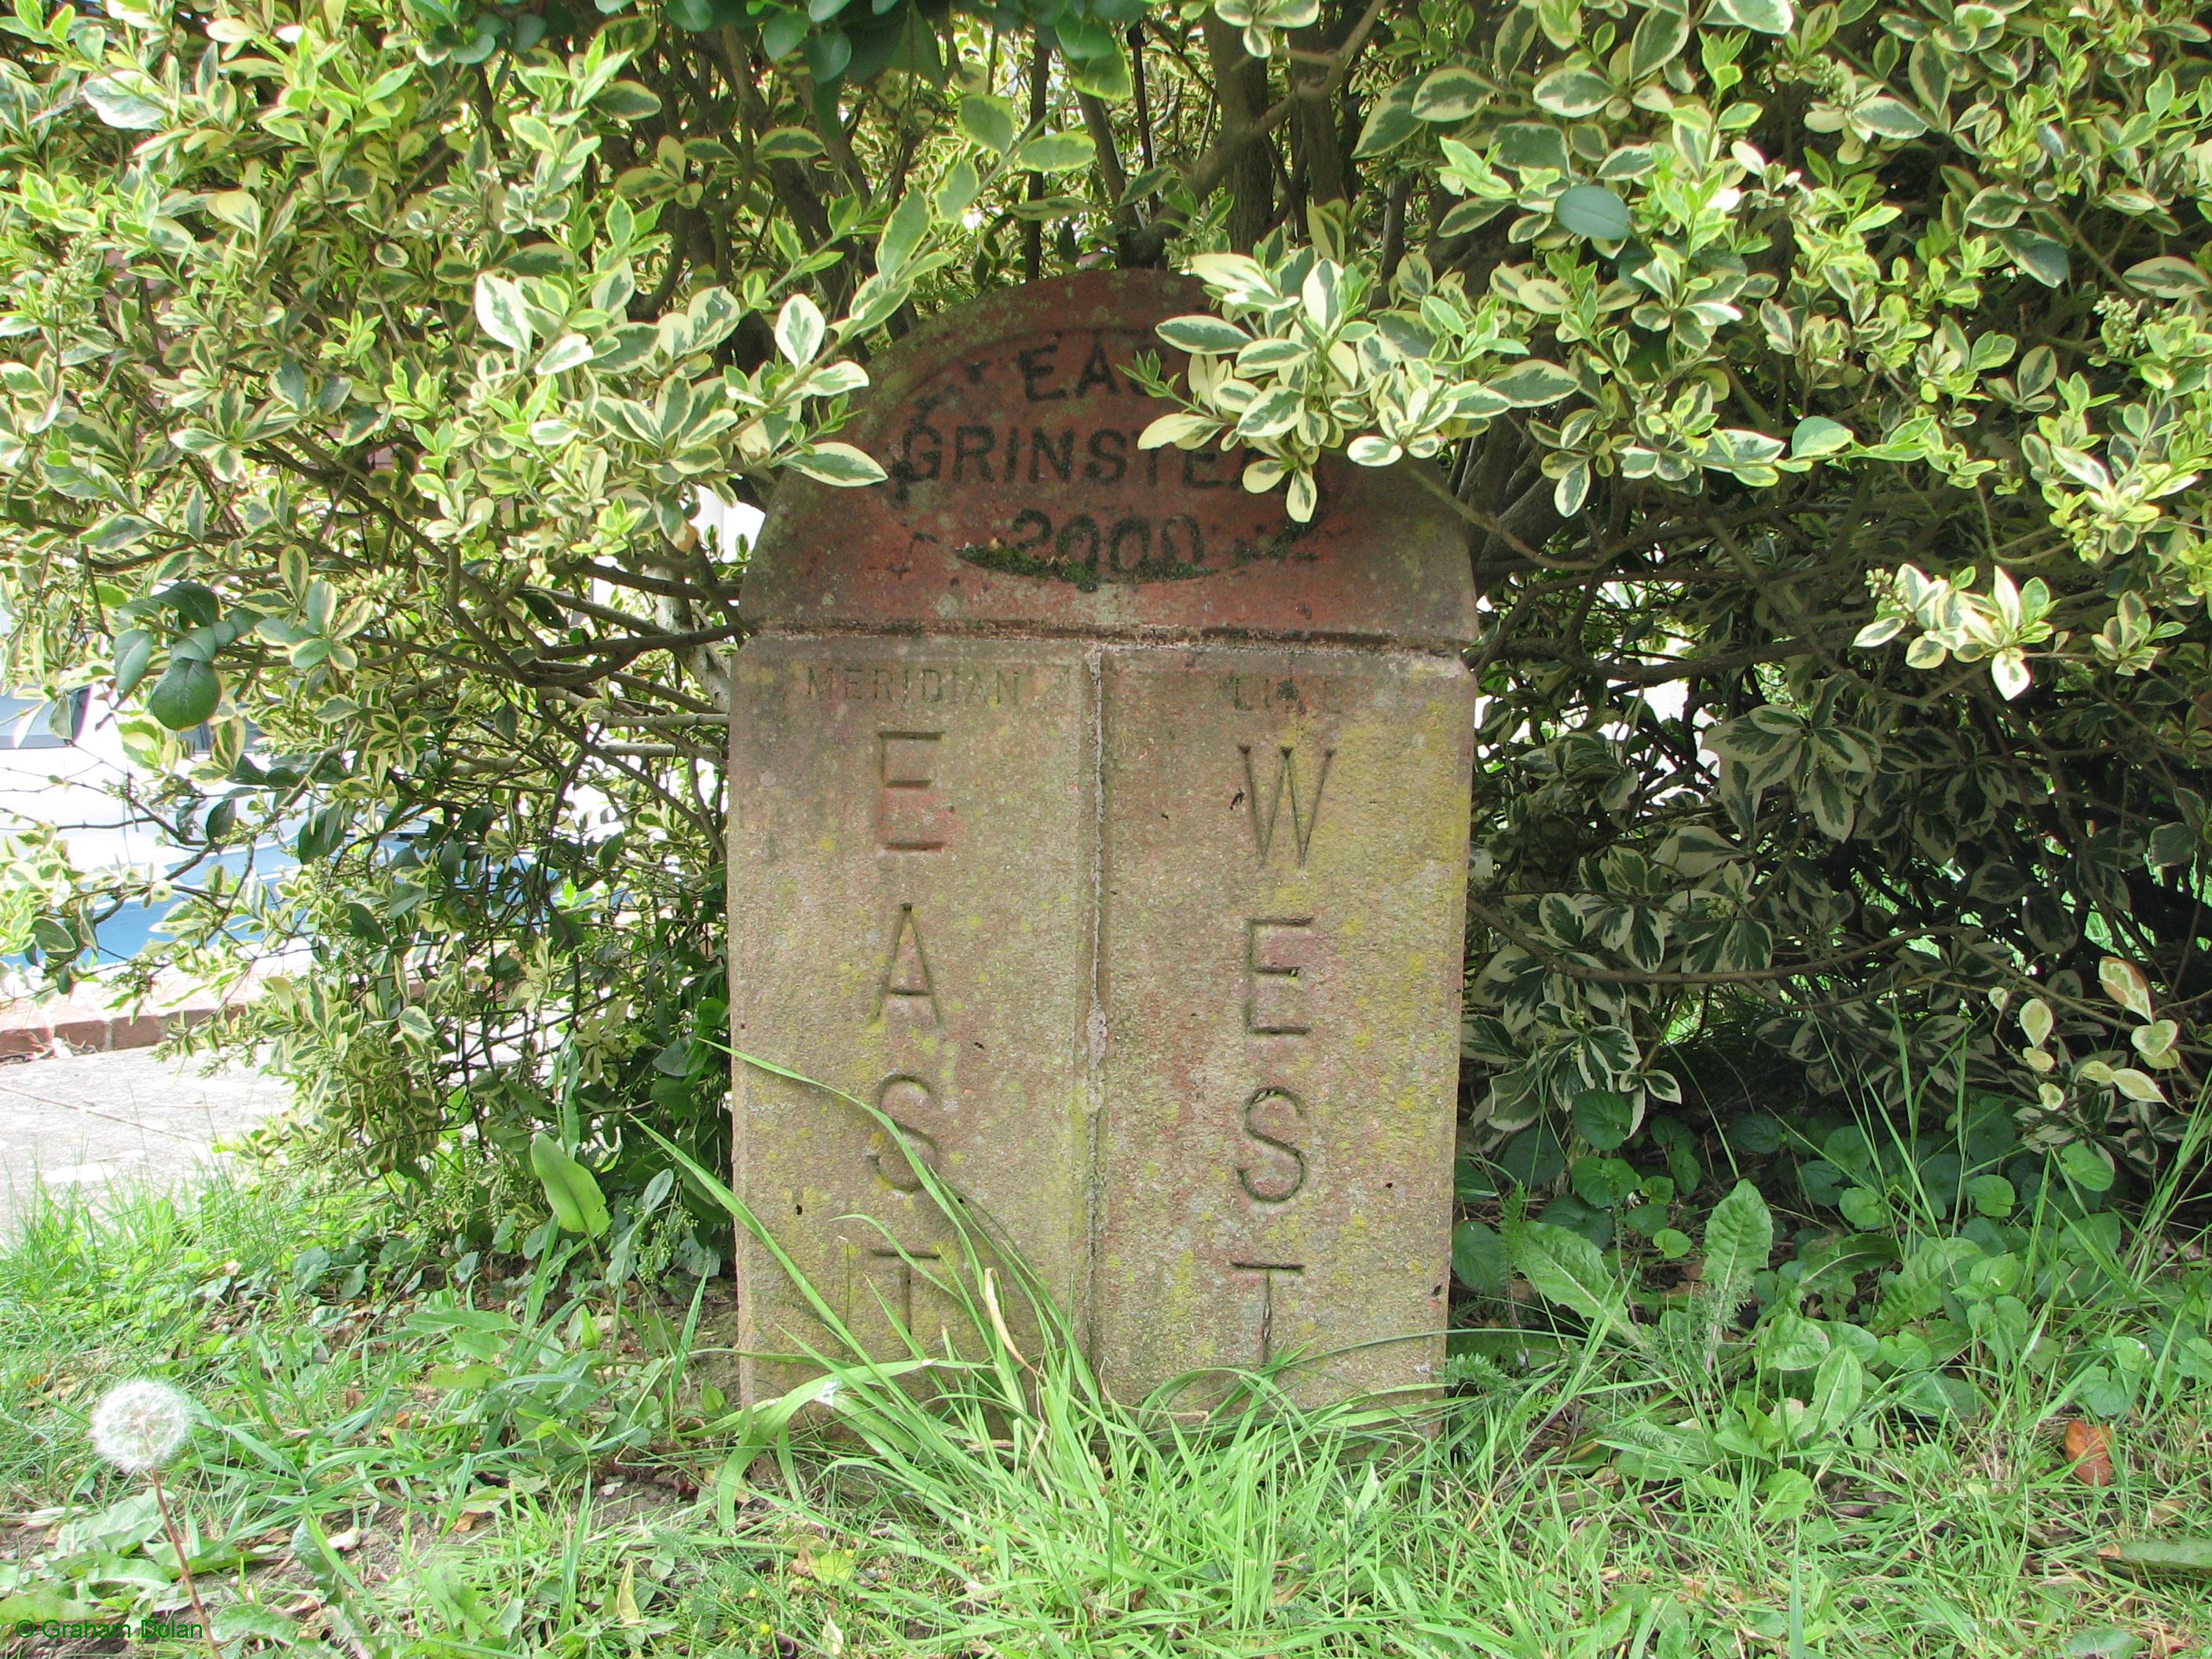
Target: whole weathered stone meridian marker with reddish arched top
1109	833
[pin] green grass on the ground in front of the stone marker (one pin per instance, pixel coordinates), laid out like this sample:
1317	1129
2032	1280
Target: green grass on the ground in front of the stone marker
406	1465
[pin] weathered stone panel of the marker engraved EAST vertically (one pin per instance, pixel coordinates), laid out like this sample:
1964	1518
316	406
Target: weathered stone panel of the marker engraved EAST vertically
912	926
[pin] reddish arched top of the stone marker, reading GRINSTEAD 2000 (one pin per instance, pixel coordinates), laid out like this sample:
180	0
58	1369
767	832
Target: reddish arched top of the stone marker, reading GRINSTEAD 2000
1021	503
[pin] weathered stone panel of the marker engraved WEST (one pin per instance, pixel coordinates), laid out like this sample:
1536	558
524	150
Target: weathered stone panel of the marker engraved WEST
1286	862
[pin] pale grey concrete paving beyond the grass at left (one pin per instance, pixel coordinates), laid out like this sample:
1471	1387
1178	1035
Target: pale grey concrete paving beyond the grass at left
94	1120
